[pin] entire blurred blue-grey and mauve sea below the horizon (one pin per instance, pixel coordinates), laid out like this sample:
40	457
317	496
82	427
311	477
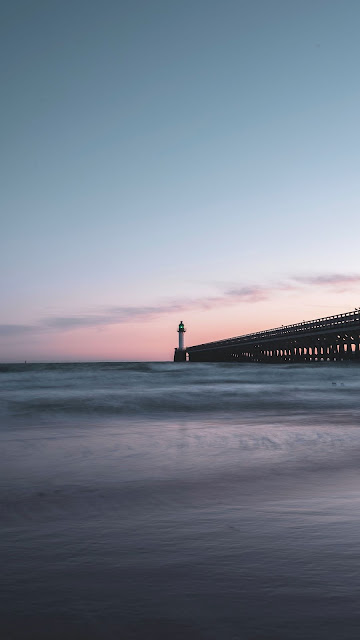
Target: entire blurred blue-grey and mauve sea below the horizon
168	501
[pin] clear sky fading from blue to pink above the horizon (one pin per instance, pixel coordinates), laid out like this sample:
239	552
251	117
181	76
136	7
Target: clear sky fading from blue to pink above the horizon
167	160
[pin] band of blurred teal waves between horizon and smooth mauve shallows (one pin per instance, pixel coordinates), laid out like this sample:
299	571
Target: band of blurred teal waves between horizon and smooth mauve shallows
110	389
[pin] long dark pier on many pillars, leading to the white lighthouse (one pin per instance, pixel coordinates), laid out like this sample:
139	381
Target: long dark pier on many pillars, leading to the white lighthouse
334	338
